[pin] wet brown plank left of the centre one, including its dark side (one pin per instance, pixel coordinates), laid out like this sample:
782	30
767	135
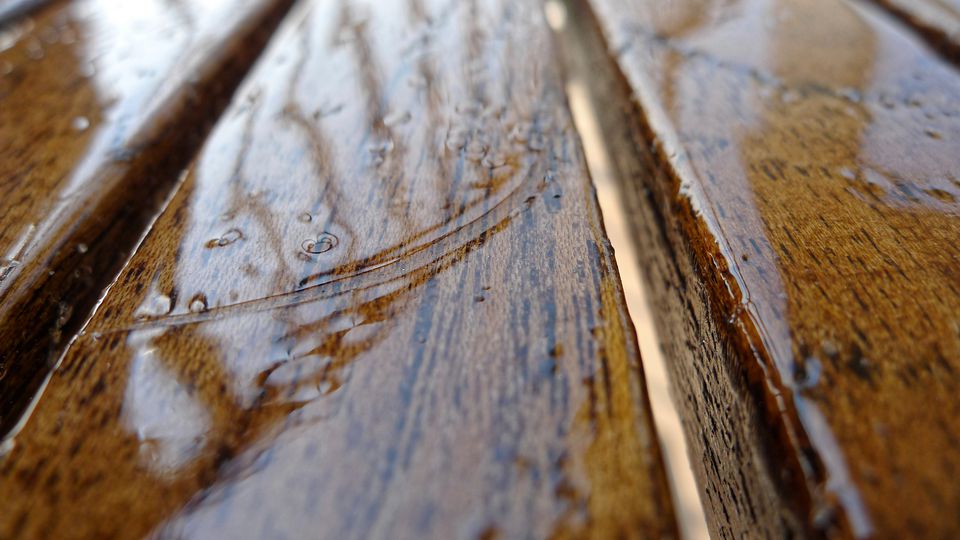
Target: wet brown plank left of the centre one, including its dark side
101	108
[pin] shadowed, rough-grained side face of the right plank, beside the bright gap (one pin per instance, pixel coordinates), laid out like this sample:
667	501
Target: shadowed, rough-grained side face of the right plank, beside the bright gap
648	184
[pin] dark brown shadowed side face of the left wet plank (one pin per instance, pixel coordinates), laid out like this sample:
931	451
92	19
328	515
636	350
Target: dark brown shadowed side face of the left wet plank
48	305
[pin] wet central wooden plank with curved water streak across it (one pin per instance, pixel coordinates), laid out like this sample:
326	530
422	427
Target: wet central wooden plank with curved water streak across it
380	305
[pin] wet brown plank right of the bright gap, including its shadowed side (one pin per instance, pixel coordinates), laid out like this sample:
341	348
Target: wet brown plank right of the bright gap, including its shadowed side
792	170
